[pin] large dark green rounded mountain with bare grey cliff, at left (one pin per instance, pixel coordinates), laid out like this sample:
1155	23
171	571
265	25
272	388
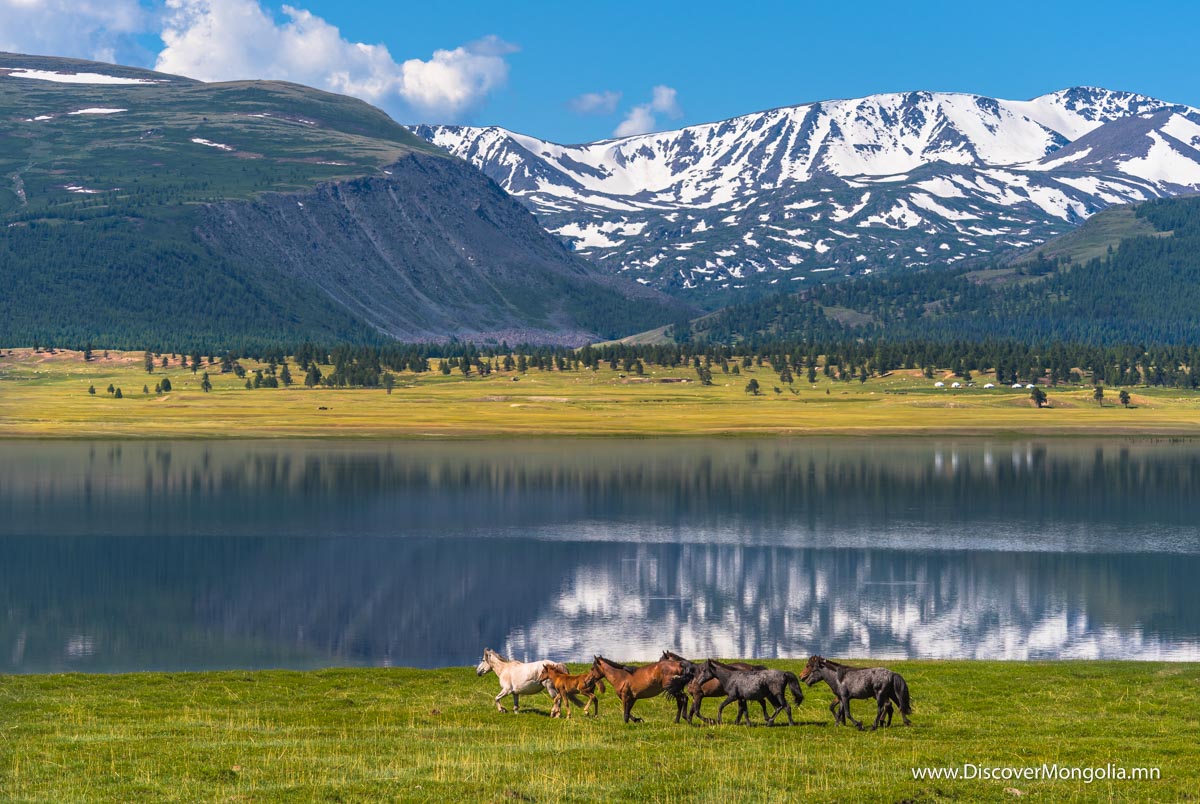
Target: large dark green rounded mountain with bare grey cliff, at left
139	208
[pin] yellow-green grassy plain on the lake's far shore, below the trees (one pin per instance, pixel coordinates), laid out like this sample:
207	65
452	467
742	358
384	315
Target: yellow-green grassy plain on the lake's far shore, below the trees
45	395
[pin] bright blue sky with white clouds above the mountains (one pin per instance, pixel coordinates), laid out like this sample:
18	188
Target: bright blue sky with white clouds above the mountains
523	64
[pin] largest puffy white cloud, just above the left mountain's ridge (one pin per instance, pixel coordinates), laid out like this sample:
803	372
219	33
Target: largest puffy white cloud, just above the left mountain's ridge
225	40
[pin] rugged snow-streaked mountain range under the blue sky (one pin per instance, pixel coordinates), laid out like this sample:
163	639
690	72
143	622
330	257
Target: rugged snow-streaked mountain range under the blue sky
808	193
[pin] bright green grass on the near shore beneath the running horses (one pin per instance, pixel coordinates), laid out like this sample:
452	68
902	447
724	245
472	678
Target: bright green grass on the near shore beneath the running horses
373	735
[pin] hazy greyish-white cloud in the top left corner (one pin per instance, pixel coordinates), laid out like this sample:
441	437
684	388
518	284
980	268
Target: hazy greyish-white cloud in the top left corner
103	31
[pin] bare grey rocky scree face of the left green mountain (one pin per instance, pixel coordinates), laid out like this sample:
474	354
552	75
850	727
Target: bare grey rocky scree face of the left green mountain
428	250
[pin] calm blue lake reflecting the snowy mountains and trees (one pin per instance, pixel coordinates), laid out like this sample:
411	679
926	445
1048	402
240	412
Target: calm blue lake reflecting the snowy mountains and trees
127	556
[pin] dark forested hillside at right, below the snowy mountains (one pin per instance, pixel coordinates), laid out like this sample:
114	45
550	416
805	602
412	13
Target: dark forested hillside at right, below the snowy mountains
1129	275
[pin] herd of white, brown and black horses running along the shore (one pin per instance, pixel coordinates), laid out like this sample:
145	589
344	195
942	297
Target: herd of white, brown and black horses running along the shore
680	679
